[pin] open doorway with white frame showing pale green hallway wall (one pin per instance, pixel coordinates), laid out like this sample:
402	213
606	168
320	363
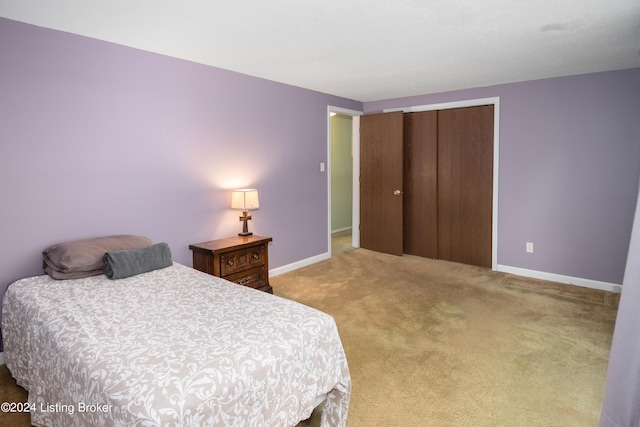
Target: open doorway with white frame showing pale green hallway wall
343	180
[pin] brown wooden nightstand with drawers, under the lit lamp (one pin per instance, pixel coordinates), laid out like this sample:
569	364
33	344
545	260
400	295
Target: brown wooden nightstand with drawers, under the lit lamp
240	259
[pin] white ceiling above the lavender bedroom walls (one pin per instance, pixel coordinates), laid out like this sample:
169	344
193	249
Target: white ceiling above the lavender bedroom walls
364	49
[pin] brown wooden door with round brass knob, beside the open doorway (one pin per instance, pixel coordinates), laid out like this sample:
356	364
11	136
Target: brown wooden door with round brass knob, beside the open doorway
381	176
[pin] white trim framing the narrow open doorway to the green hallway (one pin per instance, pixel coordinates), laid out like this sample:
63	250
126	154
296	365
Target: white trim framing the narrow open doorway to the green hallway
355	155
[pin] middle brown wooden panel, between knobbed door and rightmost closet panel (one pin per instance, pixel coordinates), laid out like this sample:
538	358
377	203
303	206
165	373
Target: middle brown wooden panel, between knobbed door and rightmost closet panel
421	184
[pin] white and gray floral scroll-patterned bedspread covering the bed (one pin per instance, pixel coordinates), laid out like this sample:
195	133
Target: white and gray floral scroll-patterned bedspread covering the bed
173	347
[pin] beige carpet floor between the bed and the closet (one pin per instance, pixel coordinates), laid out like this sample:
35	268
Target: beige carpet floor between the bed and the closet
432	343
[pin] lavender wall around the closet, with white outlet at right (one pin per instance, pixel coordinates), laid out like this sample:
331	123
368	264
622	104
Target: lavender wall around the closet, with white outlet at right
569	167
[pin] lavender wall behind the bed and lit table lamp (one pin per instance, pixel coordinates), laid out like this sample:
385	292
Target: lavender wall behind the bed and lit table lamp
99	139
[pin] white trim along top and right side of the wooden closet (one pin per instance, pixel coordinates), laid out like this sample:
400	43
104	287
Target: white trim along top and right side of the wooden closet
495	101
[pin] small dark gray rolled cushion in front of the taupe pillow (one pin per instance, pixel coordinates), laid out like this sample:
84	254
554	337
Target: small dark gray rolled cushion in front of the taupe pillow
127	263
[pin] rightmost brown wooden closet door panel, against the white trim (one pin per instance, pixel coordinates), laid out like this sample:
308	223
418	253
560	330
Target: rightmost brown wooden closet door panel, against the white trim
465	185
